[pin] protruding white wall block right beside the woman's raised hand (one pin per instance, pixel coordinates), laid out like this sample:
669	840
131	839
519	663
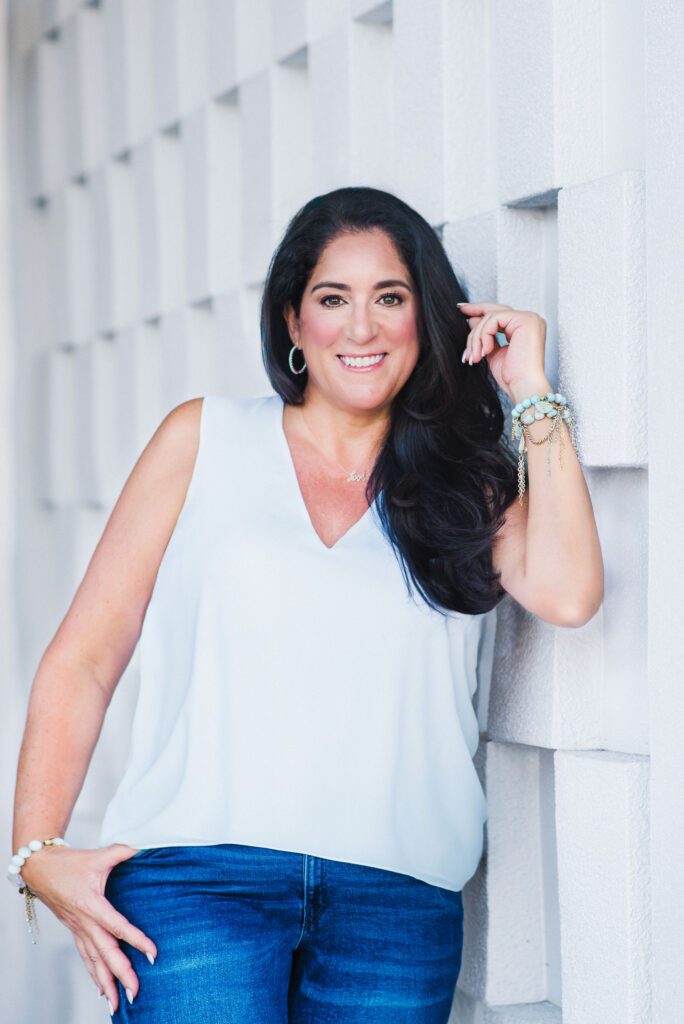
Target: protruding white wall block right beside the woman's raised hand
603	316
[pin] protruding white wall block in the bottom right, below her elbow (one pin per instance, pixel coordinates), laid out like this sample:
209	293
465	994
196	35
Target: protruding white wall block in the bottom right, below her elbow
603	822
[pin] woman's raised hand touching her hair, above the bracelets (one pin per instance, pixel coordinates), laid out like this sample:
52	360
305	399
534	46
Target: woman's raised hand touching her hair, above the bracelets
512	365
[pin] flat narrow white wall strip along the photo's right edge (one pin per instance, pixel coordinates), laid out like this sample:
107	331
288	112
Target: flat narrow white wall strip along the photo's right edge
665	270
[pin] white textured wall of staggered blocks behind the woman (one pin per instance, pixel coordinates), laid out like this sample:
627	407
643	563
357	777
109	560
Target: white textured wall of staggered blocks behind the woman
158	150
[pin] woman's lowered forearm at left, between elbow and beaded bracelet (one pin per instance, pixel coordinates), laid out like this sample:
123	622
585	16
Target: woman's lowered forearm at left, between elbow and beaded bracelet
66	714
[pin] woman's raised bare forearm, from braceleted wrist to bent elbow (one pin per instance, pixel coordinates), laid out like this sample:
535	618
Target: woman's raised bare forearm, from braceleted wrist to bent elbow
563	554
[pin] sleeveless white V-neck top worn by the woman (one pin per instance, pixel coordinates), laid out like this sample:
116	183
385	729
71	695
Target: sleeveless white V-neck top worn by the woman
296	697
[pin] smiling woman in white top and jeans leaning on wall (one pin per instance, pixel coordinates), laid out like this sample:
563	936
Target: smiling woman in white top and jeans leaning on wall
301	810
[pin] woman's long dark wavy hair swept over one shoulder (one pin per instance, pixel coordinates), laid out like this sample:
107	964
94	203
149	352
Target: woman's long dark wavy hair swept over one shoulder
444	477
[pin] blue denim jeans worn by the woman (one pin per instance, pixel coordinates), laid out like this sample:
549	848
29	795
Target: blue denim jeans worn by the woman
250	935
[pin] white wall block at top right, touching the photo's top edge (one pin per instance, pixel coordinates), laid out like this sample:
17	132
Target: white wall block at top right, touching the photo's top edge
570	93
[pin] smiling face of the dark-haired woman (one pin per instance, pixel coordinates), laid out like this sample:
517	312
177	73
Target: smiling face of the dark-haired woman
358	325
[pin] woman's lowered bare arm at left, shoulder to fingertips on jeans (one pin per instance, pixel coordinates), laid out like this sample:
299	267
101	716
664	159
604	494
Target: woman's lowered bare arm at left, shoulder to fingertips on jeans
74	686
